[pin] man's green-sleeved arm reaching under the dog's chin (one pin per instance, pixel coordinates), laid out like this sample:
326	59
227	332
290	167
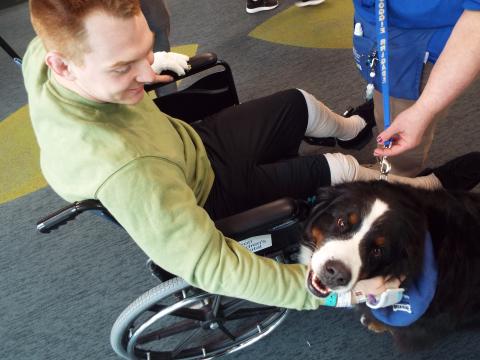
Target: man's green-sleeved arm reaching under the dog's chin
150	199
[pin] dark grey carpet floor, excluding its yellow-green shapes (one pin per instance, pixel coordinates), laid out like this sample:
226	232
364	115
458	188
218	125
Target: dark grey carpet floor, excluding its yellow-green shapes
60	293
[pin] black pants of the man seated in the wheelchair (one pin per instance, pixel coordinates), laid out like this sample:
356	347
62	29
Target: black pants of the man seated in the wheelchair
253	149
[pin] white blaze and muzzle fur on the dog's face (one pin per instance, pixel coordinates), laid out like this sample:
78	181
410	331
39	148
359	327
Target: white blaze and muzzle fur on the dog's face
348	250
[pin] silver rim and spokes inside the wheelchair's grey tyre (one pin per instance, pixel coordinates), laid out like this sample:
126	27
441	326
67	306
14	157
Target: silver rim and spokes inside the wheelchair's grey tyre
208	326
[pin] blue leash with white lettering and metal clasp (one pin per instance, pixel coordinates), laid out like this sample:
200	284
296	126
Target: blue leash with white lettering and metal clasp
382	51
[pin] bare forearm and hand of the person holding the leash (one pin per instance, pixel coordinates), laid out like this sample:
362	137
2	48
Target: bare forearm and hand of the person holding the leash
456	68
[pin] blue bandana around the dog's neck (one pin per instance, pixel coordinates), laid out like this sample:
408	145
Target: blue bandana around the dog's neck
417	297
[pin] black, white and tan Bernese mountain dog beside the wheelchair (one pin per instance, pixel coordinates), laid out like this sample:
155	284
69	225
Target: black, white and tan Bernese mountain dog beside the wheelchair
361	230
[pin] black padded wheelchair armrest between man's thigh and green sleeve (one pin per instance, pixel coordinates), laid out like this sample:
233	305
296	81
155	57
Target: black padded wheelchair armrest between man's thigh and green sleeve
275	214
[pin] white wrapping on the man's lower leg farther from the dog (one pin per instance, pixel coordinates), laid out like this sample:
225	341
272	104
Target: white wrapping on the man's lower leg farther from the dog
323	122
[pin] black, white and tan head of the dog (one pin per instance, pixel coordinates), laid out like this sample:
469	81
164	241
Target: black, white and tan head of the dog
361	230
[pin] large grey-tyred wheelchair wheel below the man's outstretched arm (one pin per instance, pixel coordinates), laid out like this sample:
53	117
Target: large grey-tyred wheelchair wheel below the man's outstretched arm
177	321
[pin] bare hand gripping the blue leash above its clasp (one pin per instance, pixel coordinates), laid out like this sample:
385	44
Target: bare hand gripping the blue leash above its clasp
406	131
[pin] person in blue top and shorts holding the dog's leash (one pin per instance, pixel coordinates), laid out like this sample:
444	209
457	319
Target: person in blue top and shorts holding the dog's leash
434	51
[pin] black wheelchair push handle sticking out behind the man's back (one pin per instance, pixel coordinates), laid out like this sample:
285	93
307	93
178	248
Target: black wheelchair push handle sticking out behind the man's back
62	216
